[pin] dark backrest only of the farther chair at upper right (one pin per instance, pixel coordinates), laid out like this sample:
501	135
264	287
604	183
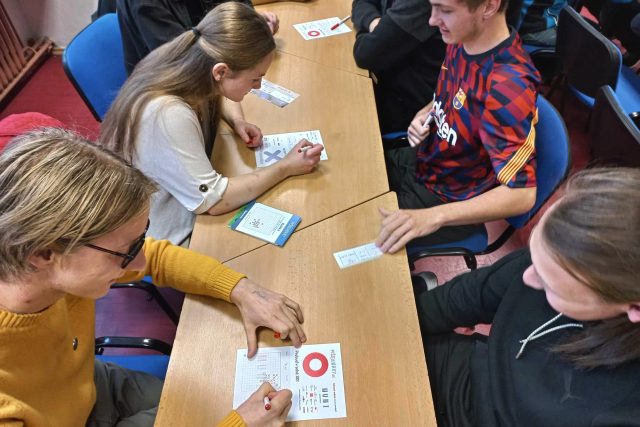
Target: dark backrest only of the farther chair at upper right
589	59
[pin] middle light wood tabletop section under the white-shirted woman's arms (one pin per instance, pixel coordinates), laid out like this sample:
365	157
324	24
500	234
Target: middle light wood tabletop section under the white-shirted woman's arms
342	107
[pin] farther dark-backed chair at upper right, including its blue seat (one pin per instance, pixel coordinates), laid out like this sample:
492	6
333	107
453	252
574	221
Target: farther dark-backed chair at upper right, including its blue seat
590	61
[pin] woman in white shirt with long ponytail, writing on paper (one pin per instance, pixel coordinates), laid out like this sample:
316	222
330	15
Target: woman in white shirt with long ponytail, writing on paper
165	117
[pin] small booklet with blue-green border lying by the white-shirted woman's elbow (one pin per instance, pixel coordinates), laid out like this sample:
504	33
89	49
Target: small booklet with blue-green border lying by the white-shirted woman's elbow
265	223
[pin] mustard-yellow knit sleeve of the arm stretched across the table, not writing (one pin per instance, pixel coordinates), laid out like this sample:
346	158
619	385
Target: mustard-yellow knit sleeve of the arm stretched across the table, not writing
185	270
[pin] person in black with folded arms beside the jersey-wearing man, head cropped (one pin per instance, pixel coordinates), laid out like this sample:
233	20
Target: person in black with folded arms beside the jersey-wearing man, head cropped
403	53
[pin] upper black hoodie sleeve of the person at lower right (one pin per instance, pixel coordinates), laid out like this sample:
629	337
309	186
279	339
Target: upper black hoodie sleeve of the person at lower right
470	298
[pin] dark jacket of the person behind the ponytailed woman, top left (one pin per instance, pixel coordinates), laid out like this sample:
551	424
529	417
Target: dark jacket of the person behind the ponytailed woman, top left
147	24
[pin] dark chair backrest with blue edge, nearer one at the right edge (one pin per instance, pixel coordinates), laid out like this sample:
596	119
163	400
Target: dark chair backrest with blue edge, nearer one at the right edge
614	138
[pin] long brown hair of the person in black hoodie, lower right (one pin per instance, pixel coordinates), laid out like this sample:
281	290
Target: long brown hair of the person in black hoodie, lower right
593	232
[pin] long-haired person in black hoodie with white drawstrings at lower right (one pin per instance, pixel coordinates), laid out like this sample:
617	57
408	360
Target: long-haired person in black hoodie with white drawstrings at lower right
564	347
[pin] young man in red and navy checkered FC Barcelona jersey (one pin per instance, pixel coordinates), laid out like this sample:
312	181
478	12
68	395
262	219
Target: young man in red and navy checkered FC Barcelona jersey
475	155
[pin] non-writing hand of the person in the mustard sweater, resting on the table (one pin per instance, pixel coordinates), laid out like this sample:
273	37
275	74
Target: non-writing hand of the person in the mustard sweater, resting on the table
262	307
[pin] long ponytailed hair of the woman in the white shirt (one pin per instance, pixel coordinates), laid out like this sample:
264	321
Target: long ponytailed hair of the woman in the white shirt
232	33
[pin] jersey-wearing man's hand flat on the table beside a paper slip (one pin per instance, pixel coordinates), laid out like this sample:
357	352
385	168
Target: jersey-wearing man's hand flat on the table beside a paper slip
401	226
